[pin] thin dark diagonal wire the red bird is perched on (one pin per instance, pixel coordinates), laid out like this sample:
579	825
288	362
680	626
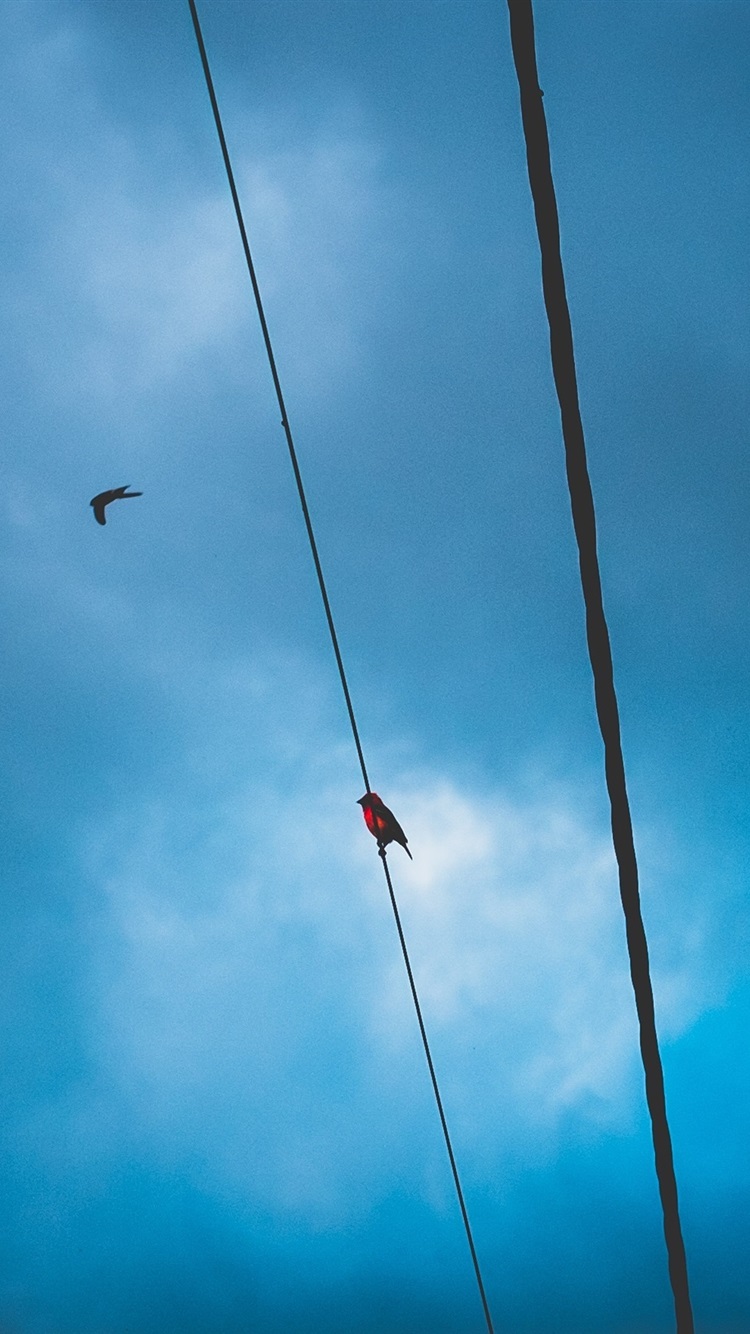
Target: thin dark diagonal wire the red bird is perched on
336	645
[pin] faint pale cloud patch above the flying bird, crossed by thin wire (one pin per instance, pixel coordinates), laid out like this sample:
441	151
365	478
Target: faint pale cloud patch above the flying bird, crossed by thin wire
162	279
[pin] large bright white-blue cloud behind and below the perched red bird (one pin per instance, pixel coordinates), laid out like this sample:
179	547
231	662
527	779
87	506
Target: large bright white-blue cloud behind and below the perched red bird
246	997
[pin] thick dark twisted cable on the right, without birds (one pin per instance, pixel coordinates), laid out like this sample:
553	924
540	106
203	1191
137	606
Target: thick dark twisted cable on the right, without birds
597	633
